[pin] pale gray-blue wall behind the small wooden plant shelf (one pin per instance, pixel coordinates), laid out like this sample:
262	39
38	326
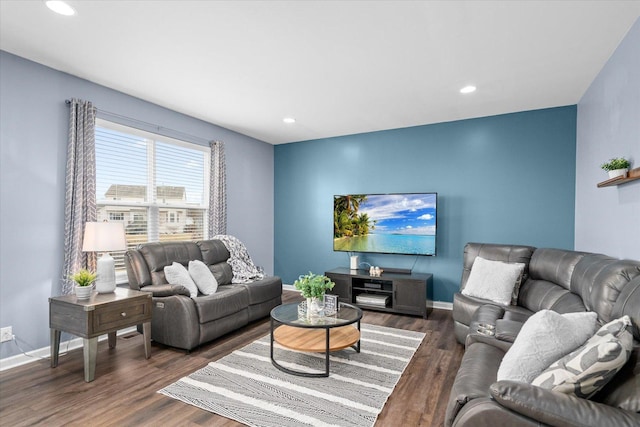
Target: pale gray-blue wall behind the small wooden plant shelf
608	125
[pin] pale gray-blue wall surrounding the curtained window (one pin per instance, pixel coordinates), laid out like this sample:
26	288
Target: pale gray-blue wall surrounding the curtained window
33	136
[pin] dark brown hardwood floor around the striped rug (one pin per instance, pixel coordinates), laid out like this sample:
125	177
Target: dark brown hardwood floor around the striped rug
124	392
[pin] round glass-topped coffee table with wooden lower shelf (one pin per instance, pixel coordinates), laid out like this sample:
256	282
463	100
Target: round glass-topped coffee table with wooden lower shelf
315	335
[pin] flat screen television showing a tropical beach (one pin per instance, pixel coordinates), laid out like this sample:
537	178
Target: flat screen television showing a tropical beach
400	223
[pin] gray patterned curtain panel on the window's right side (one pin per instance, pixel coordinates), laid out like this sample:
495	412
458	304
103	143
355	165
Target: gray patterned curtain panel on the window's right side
217	191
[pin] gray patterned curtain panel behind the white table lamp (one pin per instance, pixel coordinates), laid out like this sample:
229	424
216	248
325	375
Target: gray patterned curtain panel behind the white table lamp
80	197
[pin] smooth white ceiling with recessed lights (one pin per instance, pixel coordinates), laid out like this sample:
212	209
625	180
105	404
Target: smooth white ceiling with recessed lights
338	67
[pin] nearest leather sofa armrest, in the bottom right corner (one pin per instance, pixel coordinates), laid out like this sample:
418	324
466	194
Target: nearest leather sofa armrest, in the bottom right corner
558	409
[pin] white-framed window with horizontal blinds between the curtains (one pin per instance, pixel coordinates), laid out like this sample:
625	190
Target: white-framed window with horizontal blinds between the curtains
157	186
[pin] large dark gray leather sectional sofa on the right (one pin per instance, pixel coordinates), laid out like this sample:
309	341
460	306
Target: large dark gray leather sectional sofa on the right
559	280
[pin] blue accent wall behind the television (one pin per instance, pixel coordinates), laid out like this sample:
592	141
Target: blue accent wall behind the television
499	179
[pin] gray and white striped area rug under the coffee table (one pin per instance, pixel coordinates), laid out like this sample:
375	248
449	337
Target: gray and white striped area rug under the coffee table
246	387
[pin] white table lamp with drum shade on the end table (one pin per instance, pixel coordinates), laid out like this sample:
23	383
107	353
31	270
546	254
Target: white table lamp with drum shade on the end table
104	237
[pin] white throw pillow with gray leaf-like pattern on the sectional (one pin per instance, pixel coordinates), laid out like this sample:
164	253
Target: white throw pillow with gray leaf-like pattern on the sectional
586	370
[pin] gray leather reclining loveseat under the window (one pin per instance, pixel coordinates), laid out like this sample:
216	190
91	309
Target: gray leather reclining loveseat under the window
184	322
